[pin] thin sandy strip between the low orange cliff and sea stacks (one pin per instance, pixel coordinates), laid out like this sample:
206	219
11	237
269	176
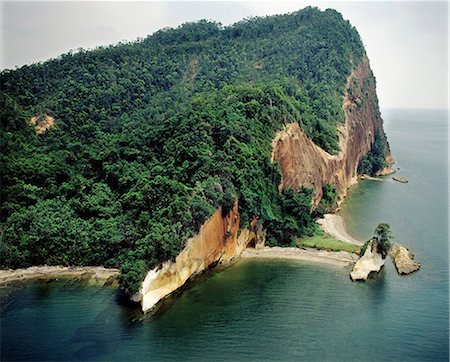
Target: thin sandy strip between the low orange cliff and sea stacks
339	258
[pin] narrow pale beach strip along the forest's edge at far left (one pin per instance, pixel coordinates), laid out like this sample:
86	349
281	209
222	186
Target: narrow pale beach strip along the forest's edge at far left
88	273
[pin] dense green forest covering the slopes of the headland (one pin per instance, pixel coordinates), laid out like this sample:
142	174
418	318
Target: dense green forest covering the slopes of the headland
151	137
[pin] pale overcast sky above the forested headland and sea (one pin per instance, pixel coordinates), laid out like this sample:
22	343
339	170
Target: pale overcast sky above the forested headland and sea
407	42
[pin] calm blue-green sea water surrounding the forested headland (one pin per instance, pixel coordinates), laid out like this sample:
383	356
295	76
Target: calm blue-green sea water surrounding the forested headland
272	309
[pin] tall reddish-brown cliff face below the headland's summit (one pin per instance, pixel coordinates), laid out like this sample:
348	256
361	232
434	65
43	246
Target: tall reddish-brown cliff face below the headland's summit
304	163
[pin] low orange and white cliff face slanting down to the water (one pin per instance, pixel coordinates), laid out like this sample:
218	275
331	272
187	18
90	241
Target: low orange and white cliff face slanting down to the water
219	240
